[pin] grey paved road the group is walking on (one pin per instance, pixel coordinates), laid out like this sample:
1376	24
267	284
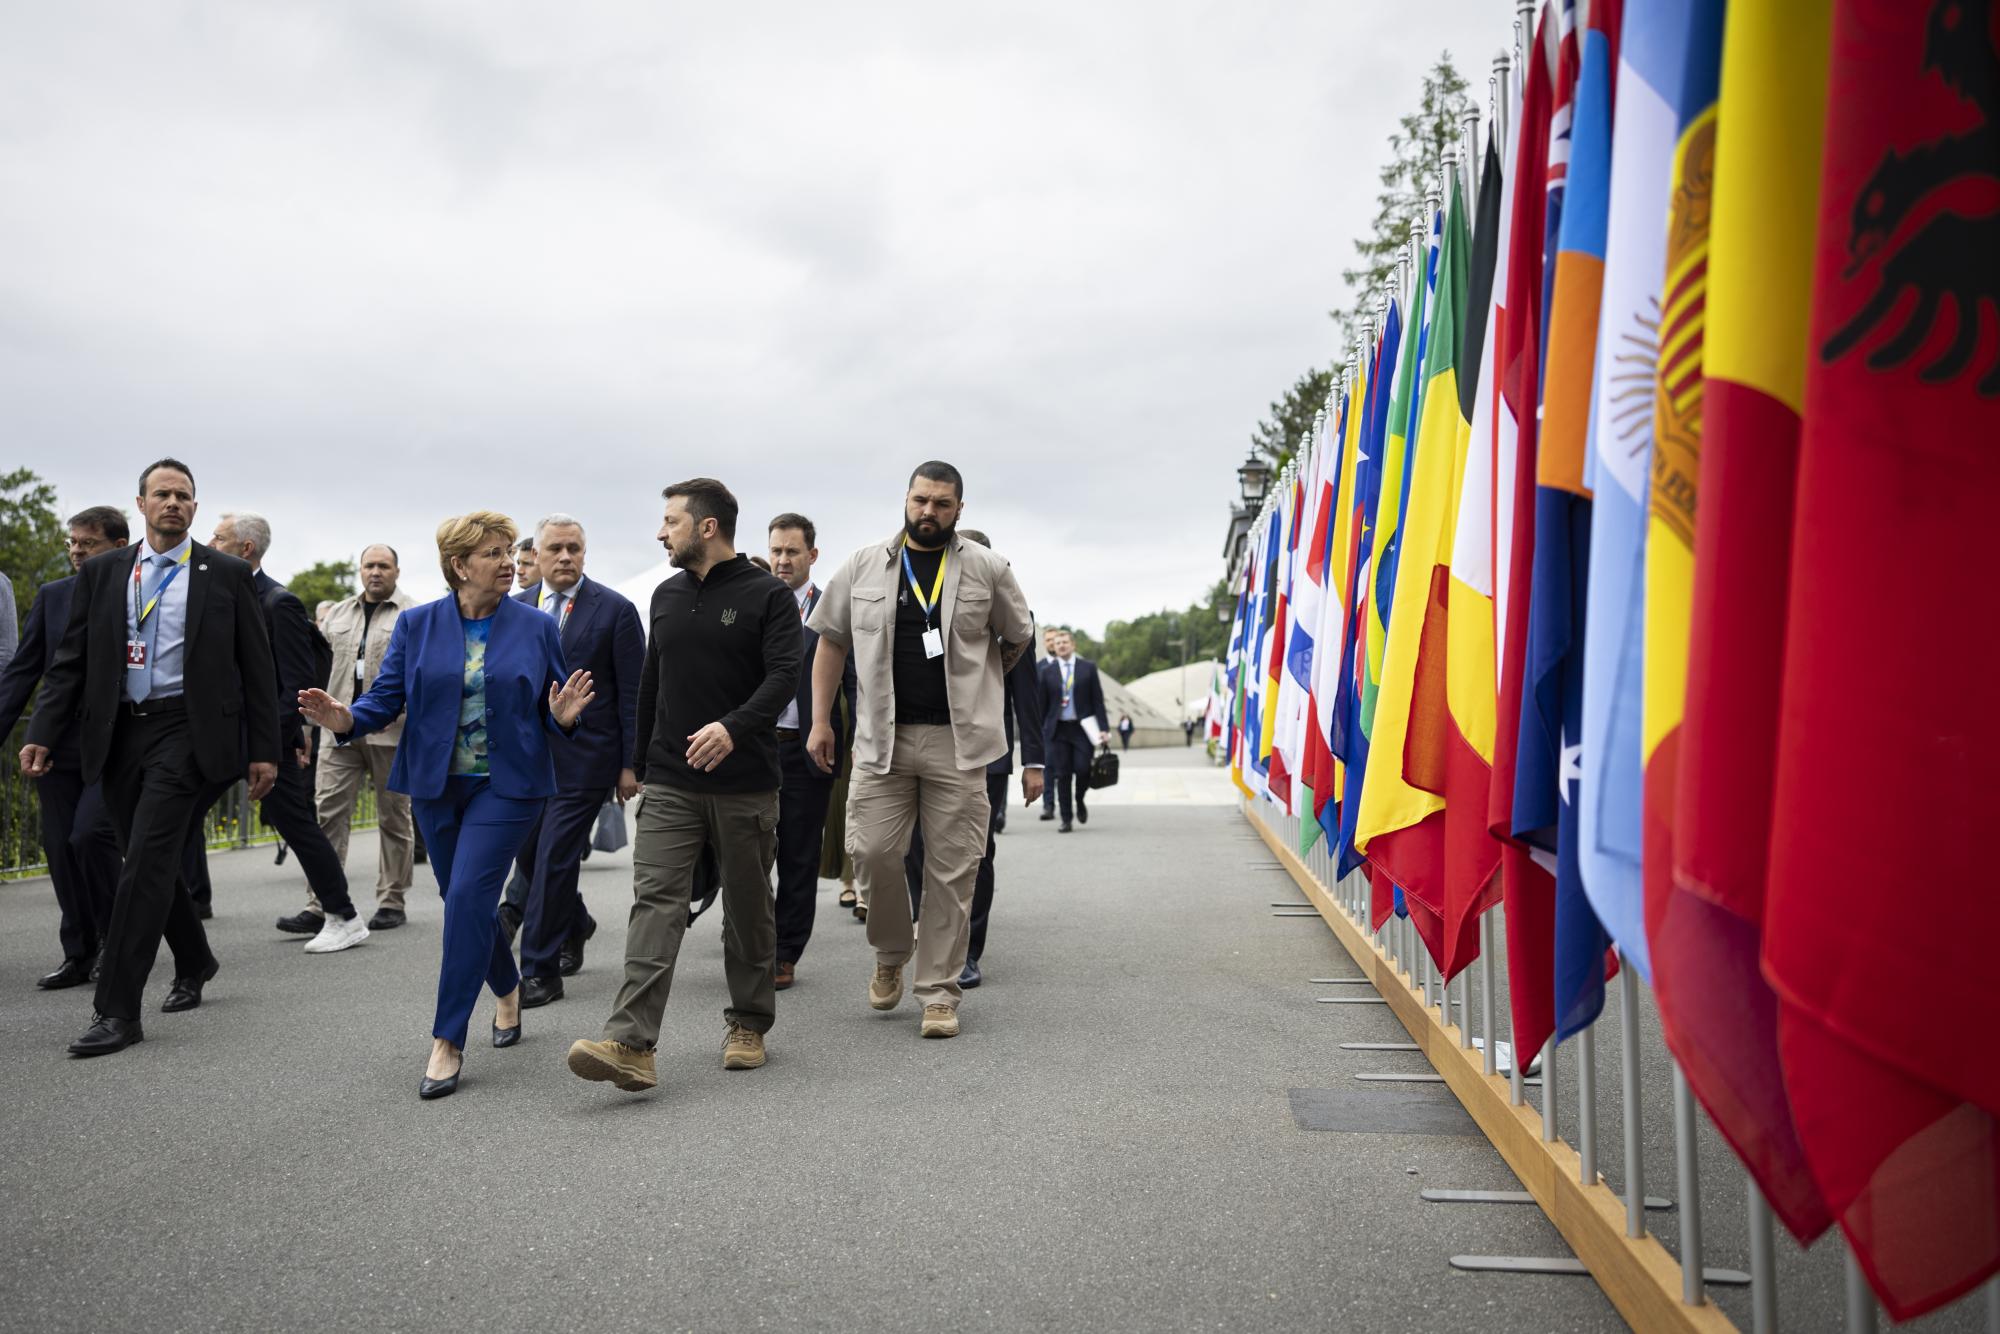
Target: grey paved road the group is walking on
1111	1145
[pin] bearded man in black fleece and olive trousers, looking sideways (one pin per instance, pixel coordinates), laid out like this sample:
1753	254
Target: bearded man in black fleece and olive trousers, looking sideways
721	665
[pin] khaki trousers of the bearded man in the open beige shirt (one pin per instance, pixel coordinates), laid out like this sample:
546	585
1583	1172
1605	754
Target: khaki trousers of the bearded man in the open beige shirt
925	783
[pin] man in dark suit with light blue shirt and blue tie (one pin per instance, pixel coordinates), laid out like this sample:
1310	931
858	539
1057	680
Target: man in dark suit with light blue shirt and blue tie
169	671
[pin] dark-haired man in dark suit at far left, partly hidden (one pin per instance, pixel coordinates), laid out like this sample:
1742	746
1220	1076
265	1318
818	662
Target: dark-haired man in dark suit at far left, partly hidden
77	829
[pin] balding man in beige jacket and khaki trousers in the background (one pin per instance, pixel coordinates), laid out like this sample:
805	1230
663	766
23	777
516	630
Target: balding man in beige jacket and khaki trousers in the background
359	631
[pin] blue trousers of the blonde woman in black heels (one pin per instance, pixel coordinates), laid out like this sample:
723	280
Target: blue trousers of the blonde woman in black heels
473	837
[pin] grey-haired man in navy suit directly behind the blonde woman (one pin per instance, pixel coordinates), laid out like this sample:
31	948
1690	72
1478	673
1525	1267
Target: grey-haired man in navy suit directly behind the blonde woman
601	635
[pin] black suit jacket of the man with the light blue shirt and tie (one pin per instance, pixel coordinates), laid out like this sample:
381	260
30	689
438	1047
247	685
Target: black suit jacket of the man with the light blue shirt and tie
229	681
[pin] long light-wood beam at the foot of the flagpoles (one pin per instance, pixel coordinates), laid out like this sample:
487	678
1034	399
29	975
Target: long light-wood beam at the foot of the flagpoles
1639	1275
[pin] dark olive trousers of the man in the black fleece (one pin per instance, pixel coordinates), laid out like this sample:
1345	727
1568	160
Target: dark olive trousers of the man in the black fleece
669	835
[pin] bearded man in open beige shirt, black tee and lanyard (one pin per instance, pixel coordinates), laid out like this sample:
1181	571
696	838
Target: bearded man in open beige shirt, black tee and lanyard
933	625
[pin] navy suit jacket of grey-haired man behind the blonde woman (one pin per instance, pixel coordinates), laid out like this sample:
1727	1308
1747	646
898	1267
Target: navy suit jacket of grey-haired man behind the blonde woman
601	637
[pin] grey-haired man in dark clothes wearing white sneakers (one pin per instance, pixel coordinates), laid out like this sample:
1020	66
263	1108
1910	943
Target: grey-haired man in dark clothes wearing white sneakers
301	661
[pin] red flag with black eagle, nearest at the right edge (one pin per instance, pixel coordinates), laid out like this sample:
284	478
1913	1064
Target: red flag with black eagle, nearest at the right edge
1881	947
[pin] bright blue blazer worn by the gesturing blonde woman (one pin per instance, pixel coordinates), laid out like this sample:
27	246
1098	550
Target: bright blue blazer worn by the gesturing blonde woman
425	677
